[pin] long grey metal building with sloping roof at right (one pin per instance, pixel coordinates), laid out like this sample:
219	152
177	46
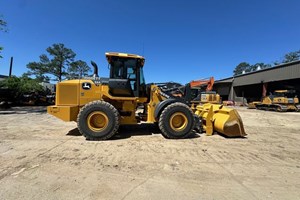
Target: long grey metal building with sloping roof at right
255	85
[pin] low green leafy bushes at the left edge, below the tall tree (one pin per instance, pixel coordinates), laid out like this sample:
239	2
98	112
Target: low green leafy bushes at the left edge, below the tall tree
21	85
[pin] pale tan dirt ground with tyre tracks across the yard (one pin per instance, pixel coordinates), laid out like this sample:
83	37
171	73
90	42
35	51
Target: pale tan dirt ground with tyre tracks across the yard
42	157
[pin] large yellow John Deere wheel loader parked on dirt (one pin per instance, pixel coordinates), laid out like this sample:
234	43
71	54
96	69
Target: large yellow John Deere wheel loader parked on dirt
100	105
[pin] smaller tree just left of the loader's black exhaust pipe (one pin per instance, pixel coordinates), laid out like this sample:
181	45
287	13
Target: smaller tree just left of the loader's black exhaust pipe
77	69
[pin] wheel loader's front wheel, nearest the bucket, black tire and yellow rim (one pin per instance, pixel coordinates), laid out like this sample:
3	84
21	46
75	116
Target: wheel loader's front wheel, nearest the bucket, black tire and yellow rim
176	121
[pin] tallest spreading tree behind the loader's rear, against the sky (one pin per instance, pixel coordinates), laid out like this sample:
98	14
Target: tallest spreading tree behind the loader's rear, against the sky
61	59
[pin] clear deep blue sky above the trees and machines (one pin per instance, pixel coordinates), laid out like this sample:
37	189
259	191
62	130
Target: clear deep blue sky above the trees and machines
182	40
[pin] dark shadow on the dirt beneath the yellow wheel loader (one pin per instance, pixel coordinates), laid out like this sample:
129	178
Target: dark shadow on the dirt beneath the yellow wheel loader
128	131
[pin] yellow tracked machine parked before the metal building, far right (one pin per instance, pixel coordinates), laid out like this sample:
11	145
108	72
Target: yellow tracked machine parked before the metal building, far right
280	100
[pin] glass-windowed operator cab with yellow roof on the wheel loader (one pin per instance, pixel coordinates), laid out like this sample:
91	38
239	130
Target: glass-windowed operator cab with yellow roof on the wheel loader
126	75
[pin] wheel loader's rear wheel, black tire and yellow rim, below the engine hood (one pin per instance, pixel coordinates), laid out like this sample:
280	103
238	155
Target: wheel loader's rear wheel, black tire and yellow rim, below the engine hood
98	120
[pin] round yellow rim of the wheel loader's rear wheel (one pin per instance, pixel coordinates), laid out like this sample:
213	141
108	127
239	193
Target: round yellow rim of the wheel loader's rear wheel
97	121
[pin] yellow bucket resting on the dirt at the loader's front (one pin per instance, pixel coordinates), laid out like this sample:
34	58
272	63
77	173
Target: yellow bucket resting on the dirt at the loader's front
221	119
